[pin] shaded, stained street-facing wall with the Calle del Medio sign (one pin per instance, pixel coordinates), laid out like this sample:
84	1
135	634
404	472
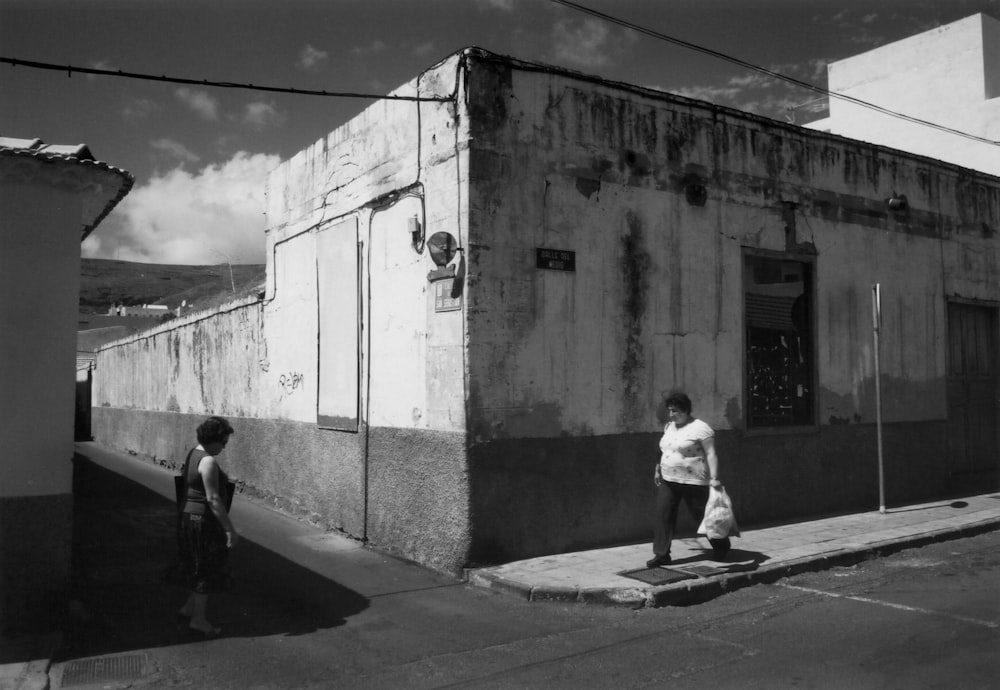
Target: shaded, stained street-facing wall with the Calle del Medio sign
659	199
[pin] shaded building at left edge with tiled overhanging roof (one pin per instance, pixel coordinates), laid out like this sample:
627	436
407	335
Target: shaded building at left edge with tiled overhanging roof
51	198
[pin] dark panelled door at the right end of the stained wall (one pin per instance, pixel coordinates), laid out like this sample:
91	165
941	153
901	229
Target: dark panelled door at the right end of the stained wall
973	391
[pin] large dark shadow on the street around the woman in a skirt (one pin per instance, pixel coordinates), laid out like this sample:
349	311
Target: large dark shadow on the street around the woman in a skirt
123	540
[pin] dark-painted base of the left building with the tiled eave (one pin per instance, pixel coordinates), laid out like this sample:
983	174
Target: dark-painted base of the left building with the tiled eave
36	534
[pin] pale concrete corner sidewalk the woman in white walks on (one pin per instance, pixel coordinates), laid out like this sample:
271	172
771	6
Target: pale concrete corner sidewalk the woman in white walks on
760	555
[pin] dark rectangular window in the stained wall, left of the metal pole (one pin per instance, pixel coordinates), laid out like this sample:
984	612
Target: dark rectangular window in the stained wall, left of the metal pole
779	353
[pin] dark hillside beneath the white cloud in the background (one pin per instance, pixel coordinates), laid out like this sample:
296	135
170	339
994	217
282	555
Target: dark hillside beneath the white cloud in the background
106	282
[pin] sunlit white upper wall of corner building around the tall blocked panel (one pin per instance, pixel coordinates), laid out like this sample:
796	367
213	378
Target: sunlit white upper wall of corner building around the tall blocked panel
395	162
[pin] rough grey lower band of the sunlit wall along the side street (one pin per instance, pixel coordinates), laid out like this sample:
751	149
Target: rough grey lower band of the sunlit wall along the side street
410	498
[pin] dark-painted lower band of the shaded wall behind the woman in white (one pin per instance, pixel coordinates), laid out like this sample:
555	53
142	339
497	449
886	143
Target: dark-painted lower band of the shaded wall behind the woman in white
533	497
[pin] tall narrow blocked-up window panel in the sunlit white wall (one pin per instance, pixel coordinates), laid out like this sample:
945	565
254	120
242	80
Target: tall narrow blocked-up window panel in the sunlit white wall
339	325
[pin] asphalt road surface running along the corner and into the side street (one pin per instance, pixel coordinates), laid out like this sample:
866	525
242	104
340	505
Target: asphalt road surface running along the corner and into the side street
923	618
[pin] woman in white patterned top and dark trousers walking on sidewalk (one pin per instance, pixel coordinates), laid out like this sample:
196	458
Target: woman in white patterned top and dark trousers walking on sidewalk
688	466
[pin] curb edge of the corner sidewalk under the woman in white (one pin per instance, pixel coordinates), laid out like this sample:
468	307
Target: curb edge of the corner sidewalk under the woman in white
703	589
